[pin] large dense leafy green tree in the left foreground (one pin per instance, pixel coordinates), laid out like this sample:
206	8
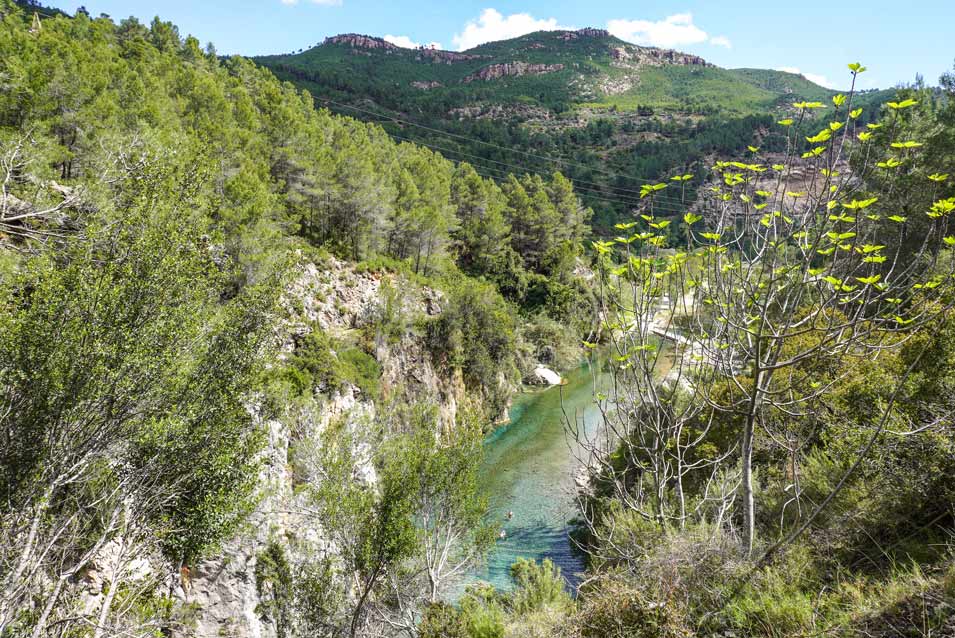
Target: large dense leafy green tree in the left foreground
123	378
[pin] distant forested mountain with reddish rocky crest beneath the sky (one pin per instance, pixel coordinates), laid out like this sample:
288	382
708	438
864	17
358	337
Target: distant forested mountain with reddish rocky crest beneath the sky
610	115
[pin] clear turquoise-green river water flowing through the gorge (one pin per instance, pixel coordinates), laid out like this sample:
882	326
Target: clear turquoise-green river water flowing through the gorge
528	469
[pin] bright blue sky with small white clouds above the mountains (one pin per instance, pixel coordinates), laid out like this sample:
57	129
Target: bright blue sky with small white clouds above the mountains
894	39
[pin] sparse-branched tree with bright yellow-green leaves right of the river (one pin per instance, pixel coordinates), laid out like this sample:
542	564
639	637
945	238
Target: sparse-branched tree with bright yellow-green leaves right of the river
776	288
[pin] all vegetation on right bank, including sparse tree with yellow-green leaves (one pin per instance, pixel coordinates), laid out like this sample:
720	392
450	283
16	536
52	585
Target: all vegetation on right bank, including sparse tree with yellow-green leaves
789	474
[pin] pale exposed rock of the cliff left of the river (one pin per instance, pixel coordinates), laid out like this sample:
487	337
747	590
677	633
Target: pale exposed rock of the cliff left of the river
221	594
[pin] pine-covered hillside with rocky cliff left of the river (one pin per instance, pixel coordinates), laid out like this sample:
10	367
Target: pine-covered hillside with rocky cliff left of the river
165	217
